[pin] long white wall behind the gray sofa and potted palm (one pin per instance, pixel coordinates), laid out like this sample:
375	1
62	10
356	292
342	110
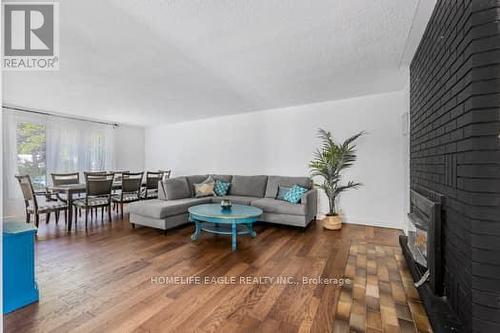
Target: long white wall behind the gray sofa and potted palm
282	141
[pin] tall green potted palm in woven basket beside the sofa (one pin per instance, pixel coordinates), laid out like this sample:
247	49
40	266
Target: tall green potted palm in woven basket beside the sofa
330	160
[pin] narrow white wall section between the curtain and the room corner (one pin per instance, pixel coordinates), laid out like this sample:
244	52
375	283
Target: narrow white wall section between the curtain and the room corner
129	148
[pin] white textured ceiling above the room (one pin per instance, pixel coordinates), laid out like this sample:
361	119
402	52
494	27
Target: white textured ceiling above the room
147	62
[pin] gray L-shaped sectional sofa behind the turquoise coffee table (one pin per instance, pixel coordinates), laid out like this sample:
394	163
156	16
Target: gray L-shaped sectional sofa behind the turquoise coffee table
176	196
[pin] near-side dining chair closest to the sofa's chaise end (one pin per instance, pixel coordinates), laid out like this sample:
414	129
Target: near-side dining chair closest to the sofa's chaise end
98	187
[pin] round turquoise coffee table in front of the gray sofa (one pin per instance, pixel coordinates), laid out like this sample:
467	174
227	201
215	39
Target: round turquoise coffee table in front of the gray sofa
235	221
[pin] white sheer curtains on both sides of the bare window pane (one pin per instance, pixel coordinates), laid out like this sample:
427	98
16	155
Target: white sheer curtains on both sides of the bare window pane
70	146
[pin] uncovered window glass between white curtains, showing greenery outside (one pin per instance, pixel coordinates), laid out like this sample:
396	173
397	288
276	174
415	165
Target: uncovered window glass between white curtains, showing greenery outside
32	152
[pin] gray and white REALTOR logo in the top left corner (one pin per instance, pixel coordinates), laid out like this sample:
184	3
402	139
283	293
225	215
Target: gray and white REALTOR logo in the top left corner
31	36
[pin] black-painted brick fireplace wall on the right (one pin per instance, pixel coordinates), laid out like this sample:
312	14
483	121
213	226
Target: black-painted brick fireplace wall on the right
454	148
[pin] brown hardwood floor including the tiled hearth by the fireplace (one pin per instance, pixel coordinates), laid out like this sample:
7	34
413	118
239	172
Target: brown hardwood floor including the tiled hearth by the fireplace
111	279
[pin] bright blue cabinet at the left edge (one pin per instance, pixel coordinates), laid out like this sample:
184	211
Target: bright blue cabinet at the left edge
19	285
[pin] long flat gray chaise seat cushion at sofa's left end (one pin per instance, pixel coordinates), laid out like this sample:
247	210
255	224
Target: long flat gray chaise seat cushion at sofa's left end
160	209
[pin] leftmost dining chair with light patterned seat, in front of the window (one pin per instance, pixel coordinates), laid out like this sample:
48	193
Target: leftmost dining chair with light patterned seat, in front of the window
34	206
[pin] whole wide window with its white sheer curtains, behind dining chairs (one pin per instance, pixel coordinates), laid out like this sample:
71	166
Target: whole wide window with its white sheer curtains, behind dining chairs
39	145
